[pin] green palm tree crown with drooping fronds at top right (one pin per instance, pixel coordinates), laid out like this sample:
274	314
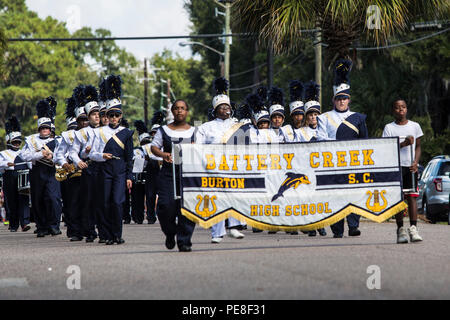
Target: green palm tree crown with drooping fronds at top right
342	21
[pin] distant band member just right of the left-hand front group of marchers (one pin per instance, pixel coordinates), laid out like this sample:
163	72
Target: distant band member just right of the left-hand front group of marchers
138	189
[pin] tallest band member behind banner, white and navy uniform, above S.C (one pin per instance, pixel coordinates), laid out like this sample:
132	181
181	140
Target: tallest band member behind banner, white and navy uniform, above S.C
342	124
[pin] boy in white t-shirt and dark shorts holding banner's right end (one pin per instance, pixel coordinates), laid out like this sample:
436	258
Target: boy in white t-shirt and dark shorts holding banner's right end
402	127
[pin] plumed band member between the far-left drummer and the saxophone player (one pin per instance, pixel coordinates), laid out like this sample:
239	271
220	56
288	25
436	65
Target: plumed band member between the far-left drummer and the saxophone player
45	190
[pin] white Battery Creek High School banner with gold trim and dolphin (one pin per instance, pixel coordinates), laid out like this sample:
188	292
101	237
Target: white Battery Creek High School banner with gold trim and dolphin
291	186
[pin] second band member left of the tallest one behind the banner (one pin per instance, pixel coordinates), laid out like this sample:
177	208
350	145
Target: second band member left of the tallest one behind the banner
297	111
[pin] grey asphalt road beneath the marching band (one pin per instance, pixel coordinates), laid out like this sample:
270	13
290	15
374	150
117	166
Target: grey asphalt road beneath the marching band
260	266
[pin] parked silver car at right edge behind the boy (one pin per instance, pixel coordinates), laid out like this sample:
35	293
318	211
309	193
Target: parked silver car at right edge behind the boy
434	189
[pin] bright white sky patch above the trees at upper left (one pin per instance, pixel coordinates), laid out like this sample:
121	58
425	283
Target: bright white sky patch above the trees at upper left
131	18
